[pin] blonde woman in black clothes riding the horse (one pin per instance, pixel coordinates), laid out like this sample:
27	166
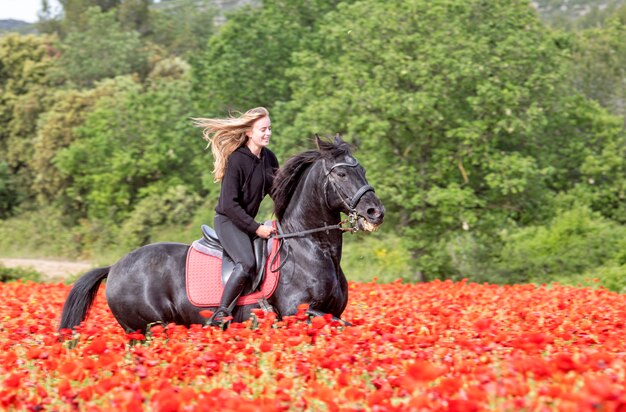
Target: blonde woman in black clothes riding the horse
246	168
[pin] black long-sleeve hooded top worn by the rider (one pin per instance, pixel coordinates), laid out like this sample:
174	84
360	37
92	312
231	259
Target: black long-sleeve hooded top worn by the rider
247	179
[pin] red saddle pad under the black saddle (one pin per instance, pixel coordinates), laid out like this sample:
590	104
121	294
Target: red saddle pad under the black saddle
204	278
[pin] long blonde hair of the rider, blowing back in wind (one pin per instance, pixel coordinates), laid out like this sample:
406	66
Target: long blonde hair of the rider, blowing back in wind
227	135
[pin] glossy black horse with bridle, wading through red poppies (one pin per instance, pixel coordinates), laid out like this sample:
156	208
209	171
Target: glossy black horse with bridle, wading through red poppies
310	191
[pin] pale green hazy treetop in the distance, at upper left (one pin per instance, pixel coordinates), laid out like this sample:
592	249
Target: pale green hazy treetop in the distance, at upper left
101	50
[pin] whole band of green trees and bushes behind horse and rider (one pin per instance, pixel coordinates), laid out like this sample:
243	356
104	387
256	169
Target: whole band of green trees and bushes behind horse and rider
496	144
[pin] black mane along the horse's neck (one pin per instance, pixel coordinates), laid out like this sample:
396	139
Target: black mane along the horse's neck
290	174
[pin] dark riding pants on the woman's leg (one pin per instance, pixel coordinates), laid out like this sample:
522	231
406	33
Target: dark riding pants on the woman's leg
238	245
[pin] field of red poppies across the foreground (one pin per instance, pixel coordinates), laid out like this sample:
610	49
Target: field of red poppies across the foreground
438	346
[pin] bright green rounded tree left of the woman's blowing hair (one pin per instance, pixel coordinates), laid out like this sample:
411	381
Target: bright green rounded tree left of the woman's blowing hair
128	143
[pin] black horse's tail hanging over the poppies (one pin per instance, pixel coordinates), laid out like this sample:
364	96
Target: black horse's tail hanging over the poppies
81	297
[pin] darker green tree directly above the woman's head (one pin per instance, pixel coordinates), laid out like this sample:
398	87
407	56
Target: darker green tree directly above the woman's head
245	64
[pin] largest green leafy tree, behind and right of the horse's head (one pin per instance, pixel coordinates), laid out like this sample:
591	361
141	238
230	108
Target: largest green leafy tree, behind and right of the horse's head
459	110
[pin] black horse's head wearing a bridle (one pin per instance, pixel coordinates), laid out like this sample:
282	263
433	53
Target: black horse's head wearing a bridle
345	185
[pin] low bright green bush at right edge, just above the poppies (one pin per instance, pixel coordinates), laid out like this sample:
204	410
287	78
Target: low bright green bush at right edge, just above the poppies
576	241
